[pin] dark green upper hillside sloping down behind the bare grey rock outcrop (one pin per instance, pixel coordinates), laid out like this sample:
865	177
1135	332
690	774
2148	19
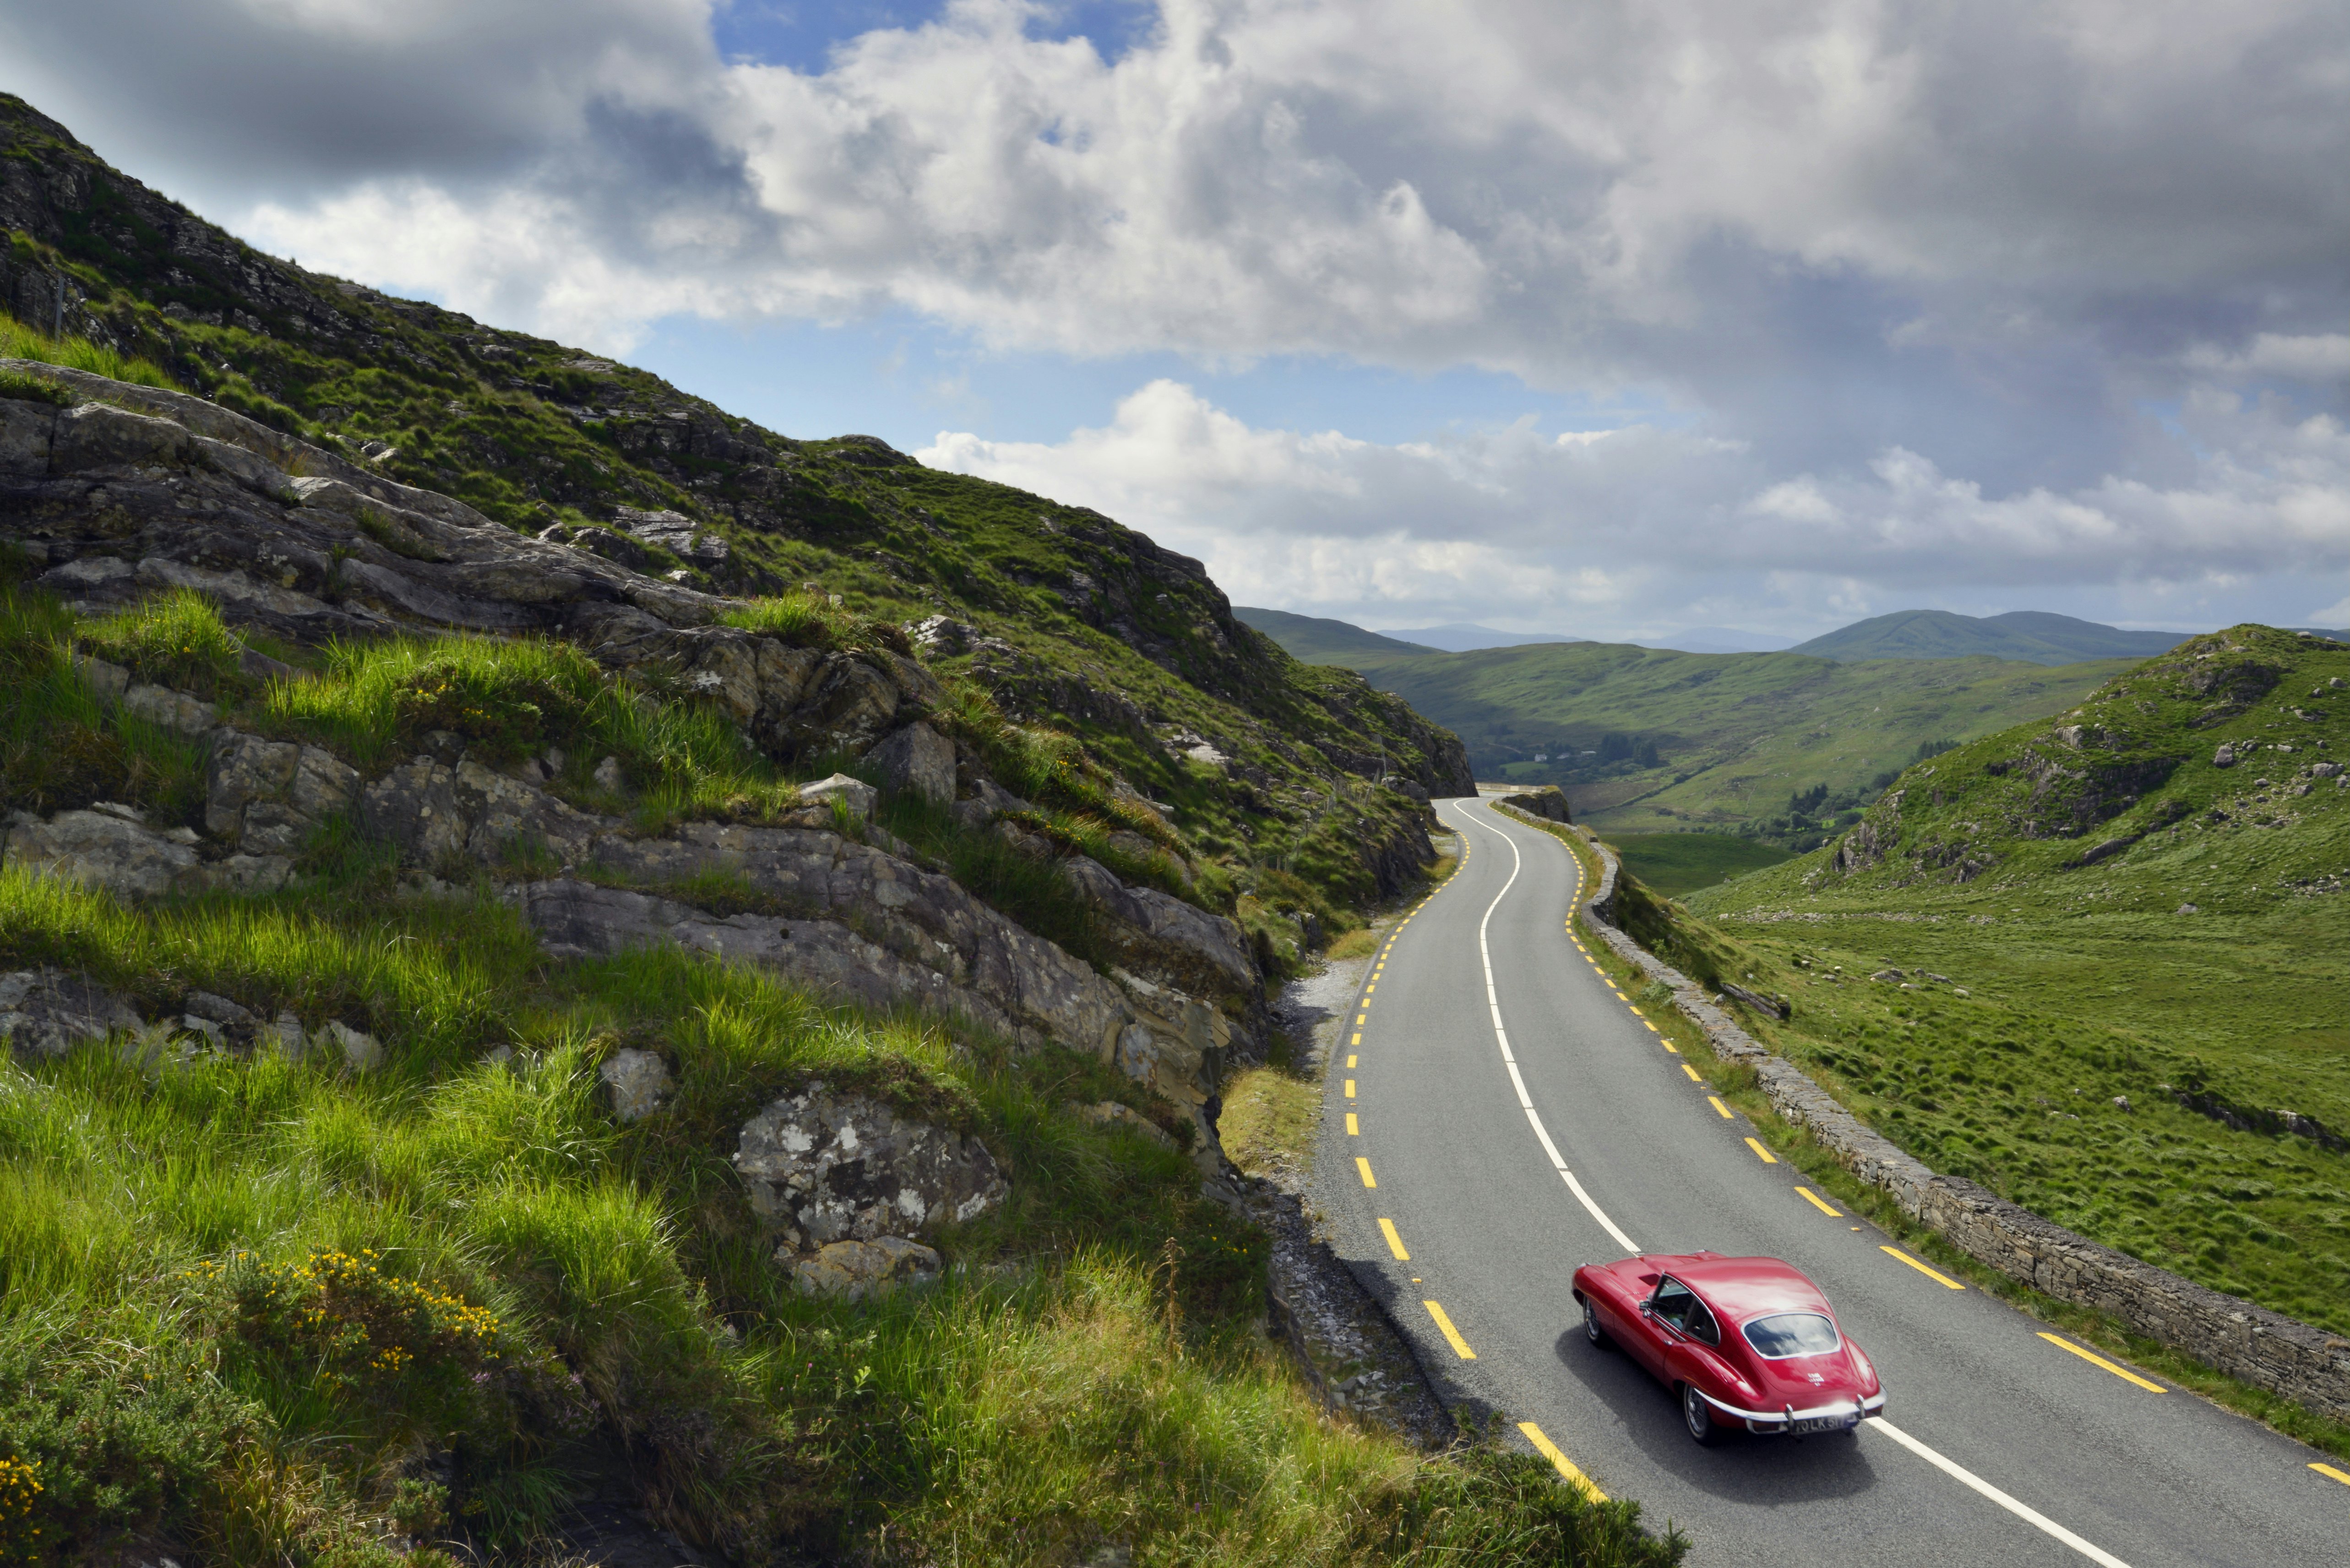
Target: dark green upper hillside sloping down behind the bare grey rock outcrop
1303	784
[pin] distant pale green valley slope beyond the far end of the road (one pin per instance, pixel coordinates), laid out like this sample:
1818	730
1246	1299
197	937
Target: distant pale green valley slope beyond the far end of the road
1740	732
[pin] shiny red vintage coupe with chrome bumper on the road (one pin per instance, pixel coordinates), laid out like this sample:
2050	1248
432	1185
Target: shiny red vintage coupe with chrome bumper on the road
1740	1341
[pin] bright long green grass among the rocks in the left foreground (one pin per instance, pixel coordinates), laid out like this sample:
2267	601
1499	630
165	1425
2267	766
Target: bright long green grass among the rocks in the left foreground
271	1313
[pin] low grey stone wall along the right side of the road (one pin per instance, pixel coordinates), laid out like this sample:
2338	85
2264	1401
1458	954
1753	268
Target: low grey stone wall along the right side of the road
2234	1336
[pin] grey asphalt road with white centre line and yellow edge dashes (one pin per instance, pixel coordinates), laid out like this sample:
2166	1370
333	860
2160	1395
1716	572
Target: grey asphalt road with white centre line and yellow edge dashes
1493	1233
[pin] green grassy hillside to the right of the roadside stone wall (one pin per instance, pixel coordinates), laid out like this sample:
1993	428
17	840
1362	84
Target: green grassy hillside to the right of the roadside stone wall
2088	984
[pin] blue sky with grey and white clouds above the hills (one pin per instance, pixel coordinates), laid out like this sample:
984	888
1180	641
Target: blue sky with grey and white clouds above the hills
1606	319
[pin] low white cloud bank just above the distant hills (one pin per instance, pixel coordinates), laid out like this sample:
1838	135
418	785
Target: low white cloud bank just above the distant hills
1623	530
